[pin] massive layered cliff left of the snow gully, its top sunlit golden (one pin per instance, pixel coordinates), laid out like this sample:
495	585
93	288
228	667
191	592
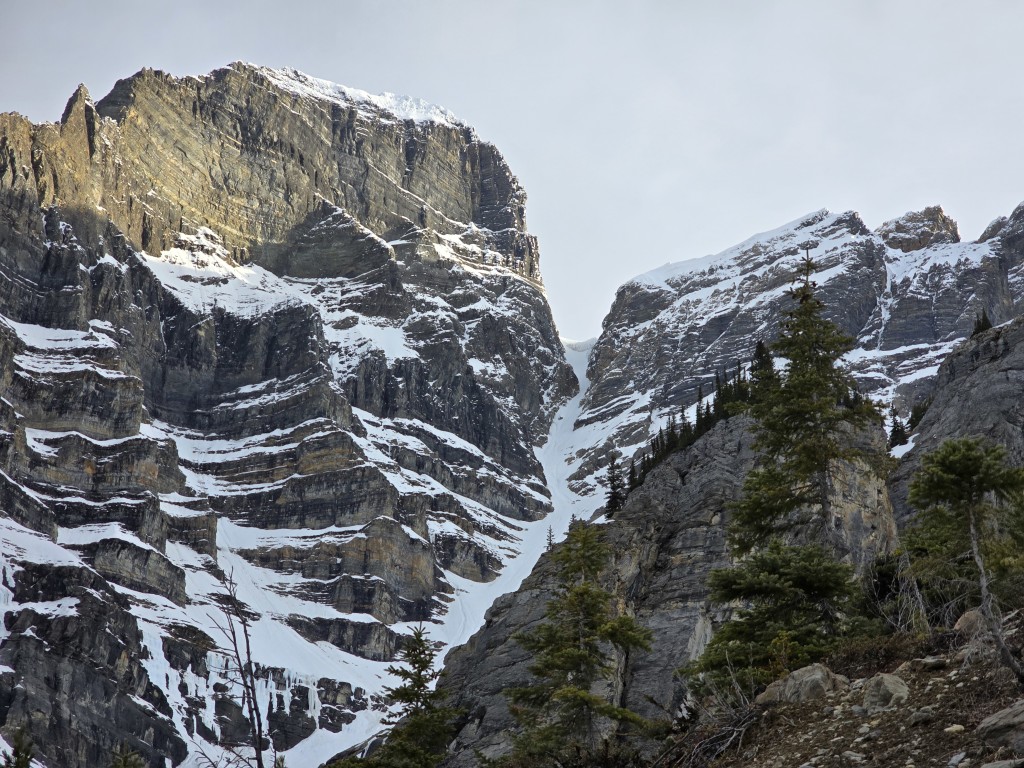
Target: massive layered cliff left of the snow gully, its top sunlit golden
255	328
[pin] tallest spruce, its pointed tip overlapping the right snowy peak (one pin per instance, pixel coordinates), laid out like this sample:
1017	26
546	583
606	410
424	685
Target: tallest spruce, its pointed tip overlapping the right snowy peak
800	417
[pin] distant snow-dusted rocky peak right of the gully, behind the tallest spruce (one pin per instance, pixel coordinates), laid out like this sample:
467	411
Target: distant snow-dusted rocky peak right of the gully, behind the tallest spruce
908	293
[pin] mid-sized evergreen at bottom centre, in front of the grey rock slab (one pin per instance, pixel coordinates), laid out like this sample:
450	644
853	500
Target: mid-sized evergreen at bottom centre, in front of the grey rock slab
571	654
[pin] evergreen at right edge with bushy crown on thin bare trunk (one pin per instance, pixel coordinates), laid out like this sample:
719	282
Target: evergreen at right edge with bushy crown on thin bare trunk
969	499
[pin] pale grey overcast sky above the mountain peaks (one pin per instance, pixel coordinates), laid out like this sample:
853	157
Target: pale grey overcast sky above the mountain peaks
644	133
